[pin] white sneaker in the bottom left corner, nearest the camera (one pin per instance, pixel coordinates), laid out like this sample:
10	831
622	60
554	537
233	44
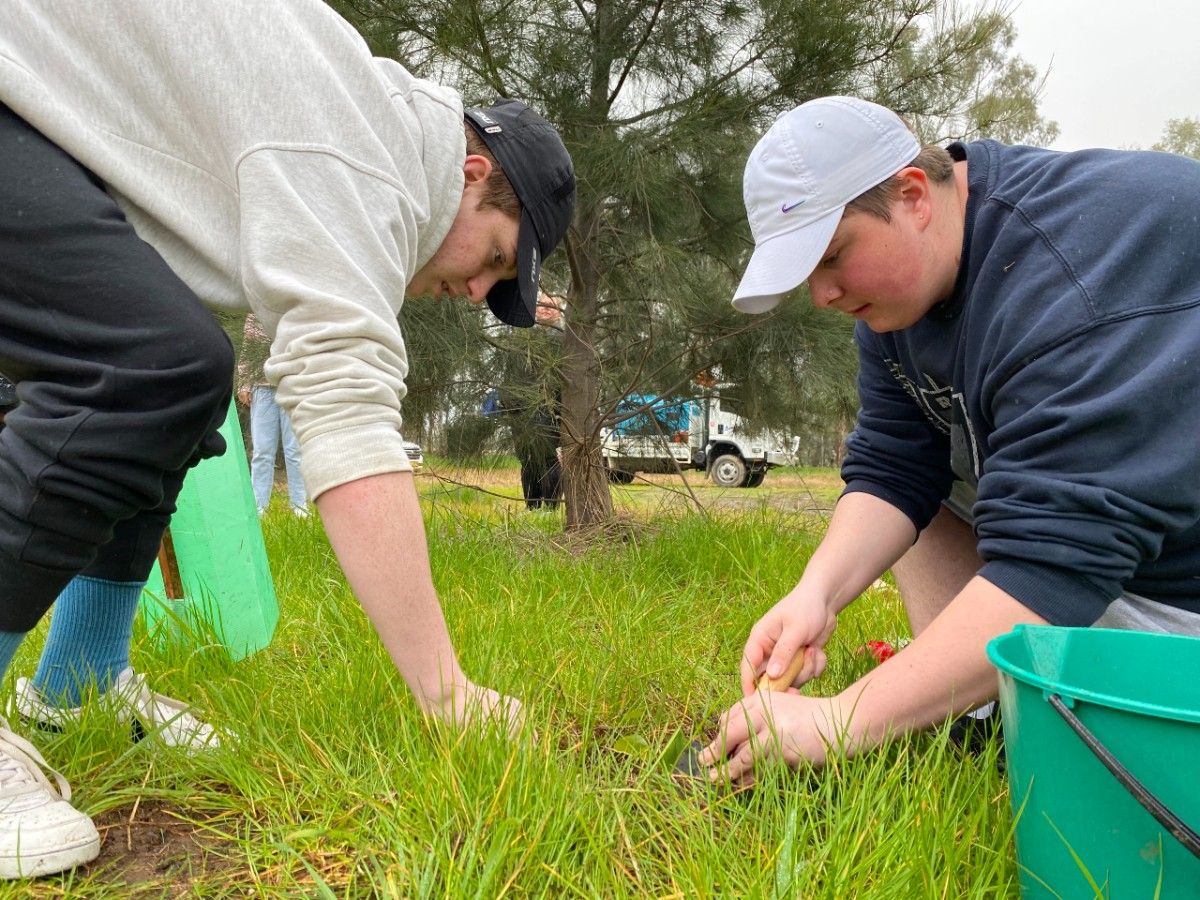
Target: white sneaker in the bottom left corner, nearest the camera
40	832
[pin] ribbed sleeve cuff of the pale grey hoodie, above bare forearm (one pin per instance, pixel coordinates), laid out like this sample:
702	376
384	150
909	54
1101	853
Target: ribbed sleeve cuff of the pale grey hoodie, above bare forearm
346	455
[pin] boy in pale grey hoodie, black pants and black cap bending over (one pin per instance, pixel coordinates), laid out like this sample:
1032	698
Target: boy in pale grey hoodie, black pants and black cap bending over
158	159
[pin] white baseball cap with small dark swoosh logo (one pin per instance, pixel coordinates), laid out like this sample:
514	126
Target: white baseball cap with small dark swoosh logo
800	178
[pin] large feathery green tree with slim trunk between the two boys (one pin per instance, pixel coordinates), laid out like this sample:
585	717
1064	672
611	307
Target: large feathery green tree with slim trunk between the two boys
659	105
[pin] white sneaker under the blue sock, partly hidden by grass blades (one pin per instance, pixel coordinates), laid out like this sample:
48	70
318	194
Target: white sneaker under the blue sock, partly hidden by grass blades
148	715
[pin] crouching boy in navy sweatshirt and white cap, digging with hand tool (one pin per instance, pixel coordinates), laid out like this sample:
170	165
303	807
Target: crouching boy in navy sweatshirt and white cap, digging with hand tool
1029	443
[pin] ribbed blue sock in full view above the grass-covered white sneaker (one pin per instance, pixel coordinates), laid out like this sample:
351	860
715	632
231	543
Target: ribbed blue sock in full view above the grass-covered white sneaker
92	627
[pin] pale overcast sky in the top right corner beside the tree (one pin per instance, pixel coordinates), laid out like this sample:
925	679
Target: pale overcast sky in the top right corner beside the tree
1118	69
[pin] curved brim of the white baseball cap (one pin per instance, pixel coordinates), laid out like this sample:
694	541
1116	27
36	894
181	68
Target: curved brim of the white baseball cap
782	263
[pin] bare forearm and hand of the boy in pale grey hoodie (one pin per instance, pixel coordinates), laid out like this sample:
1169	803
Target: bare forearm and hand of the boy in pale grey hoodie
376	530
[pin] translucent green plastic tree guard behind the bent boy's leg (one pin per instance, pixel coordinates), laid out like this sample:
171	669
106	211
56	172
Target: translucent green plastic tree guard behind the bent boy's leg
221	560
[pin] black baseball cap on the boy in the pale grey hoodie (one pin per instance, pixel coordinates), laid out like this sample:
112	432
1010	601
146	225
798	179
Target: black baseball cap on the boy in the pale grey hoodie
537	164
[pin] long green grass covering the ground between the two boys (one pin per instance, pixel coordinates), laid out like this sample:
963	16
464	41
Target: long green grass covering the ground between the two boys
338	787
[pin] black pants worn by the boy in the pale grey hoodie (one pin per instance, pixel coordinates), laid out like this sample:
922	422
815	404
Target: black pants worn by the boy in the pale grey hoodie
124	379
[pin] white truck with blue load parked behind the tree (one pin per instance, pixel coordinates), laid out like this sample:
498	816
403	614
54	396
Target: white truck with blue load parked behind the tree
674	435
